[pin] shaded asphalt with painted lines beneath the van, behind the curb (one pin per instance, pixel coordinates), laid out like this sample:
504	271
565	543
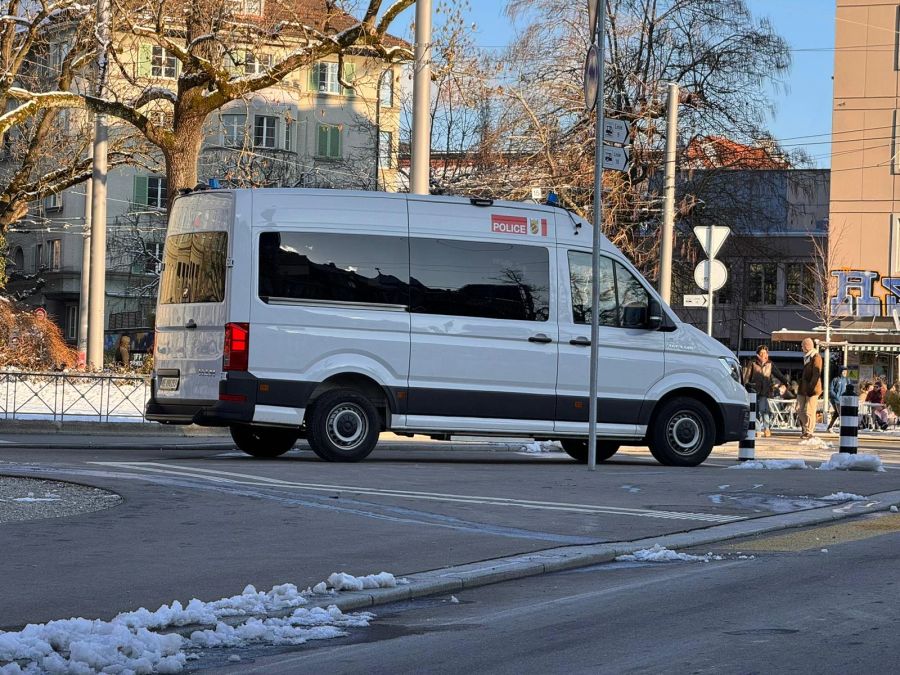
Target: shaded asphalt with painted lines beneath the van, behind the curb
204	523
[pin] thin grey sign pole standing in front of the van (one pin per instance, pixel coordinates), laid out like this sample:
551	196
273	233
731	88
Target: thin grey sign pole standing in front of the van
598	228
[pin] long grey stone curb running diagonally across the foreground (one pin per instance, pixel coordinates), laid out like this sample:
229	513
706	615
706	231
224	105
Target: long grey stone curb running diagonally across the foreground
473	575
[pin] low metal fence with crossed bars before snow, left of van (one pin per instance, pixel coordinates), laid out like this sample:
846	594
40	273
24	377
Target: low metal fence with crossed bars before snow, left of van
72	396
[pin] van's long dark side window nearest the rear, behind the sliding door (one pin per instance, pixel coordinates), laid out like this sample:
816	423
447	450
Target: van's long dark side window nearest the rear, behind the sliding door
334	267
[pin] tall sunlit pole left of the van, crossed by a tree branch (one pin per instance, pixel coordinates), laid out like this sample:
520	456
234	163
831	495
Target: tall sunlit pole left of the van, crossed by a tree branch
96	306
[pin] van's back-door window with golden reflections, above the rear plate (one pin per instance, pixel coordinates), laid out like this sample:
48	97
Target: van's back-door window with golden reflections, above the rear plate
194	268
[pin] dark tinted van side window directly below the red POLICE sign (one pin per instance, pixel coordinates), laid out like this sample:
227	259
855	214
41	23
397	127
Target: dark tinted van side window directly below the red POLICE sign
484	279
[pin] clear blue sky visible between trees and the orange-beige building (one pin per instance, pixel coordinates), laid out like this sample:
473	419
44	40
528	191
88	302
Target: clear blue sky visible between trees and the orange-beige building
802	104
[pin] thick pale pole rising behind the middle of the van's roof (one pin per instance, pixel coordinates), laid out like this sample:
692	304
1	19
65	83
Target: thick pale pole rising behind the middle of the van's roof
420	156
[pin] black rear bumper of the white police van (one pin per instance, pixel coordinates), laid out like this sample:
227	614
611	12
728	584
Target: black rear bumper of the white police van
239	387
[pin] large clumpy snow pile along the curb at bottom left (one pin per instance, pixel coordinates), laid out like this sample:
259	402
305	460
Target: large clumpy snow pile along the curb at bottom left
136	641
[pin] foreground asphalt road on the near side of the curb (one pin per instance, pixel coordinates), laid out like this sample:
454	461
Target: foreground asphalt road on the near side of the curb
796	611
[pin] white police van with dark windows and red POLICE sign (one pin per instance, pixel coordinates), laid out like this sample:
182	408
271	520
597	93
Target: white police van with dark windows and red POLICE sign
336	315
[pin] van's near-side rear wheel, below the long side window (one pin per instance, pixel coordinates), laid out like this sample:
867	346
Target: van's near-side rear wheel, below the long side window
343	426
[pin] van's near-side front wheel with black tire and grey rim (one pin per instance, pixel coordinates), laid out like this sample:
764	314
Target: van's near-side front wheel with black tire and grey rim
682	433
